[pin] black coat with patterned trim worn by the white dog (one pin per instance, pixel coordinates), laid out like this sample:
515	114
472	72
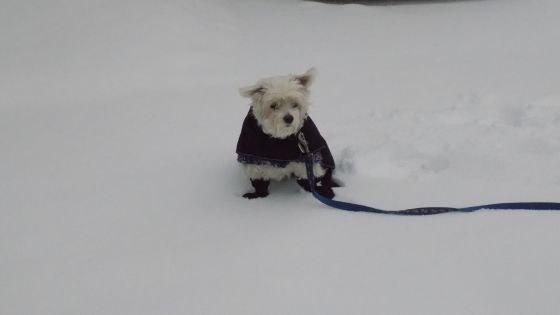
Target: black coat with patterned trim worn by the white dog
256	147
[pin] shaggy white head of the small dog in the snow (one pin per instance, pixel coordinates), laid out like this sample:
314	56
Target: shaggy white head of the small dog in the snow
280	103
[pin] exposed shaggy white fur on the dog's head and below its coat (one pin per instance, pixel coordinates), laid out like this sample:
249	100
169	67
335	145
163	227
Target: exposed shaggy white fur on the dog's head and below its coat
273	100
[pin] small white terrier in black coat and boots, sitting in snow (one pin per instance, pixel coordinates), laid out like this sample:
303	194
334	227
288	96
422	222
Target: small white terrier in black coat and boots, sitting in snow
268	146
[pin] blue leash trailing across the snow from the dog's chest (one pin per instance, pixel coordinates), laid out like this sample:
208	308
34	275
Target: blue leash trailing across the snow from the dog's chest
533	206
